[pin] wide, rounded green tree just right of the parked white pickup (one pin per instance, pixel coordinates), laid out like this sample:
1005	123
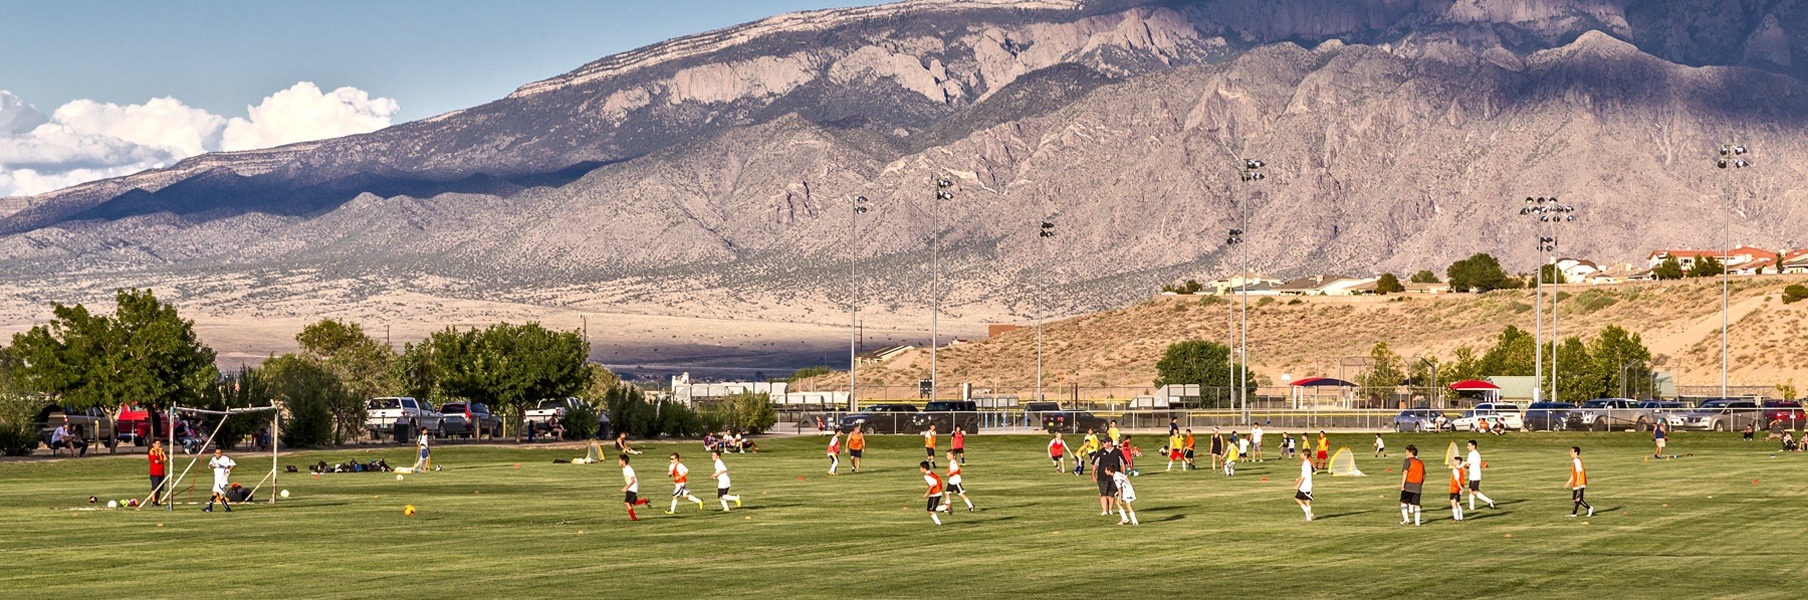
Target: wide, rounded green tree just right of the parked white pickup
511	368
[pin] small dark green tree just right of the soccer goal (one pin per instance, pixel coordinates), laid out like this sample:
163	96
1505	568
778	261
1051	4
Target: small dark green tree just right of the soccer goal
308	393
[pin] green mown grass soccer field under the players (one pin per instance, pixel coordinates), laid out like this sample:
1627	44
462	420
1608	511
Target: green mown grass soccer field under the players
1720	523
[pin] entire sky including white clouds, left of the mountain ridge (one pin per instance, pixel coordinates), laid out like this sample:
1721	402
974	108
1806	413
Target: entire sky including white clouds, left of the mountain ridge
104	89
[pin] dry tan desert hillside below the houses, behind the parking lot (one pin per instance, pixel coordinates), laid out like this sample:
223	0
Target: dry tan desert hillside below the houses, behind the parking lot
1308	337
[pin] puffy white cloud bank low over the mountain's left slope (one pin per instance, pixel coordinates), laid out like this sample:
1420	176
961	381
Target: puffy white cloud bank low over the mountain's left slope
86	140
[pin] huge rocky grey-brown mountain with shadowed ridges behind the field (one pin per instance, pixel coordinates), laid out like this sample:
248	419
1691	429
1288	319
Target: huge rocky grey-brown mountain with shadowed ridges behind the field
1400	136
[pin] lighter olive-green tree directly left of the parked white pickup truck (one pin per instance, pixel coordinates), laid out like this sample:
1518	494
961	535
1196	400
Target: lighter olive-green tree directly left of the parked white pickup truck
363	366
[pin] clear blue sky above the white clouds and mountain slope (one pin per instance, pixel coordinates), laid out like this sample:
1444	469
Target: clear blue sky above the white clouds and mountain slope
429	57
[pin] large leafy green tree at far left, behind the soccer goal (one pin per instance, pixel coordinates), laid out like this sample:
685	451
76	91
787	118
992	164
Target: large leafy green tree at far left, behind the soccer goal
142	353
